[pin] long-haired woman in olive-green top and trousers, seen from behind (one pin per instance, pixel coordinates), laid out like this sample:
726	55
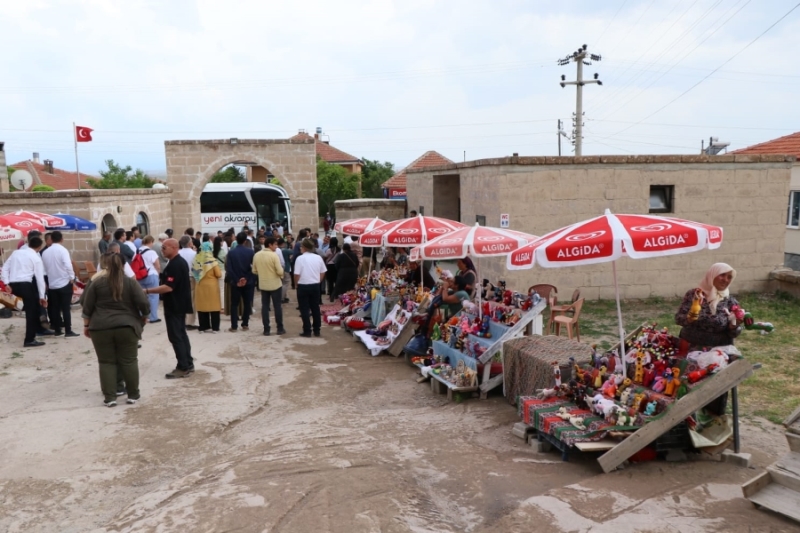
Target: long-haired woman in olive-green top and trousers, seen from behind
115	309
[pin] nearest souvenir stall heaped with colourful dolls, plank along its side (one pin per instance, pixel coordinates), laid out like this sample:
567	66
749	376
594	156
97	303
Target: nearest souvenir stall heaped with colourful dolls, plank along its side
640	400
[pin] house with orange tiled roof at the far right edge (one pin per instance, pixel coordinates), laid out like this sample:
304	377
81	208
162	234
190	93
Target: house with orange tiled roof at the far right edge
786	145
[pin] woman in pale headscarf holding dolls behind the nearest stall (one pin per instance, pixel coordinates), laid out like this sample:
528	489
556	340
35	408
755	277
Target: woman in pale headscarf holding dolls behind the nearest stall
715	324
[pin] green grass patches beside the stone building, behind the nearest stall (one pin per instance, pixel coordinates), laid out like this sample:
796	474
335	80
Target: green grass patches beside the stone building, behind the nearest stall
773	392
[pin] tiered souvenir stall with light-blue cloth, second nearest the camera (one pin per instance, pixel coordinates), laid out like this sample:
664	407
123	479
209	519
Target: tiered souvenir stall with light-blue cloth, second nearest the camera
468	340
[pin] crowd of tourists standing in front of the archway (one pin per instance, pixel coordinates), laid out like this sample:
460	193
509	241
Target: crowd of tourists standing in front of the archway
196	276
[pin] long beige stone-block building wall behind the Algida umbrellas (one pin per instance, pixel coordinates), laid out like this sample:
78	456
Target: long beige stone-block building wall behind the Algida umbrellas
744	194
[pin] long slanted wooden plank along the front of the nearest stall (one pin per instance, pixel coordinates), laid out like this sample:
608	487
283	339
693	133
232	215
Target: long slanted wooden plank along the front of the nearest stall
723	381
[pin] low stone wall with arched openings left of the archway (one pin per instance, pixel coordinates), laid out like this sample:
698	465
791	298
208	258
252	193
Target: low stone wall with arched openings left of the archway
122	204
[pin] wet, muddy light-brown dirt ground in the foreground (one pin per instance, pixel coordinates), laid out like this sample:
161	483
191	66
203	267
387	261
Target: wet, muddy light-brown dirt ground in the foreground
286	434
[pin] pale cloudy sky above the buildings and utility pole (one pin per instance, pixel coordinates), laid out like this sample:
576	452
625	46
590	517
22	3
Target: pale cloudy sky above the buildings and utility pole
388	79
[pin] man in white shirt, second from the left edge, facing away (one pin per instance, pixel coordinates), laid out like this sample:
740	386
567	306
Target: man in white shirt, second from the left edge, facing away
60	275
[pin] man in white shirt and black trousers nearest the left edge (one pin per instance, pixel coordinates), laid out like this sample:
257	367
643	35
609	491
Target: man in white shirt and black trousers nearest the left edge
23	274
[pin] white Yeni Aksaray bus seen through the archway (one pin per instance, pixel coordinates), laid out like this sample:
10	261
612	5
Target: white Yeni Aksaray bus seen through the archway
226	205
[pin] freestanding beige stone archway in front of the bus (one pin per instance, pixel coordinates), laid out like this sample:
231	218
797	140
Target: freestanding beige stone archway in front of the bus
190	165
